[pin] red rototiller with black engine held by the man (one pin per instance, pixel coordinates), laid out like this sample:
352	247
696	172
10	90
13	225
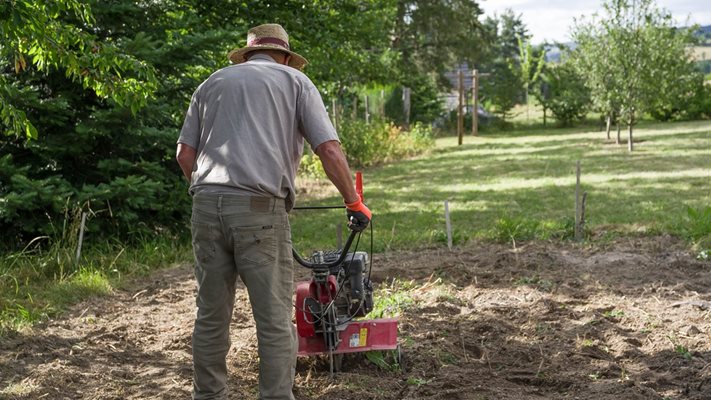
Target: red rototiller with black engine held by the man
330	307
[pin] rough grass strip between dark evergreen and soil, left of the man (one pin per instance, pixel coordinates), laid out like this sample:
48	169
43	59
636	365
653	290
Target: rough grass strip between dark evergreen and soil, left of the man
42	281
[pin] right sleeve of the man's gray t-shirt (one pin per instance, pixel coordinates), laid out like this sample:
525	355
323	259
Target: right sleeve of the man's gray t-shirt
314	122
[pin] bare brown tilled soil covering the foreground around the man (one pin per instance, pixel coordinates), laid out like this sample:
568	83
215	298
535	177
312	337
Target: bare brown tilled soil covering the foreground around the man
629	320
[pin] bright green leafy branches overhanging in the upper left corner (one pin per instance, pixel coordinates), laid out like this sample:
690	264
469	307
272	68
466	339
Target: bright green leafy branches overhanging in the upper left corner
34	36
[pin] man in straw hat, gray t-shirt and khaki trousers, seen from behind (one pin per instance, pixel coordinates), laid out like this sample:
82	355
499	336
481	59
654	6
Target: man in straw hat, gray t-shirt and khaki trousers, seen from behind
240	147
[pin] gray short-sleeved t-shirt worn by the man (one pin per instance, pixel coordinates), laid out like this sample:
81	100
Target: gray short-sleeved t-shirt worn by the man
248	123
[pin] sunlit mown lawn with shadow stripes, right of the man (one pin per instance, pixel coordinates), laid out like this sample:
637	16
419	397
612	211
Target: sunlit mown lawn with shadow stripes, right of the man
520	185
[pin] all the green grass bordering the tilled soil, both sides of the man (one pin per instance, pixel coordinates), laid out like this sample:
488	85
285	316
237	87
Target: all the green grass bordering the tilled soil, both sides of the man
508	187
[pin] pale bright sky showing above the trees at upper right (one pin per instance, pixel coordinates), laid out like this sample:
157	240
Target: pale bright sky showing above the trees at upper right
552	20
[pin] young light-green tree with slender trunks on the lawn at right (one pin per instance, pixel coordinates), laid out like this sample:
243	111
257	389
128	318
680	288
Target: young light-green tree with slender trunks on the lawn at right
626	53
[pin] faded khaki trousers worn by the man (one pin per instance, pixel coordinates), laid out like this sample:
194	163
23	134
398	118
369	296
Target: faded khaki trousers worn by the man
248	237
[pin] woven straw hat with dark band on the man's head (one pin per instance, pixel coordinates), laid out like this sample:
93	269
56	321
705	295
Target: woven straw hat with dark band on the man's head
267	37
